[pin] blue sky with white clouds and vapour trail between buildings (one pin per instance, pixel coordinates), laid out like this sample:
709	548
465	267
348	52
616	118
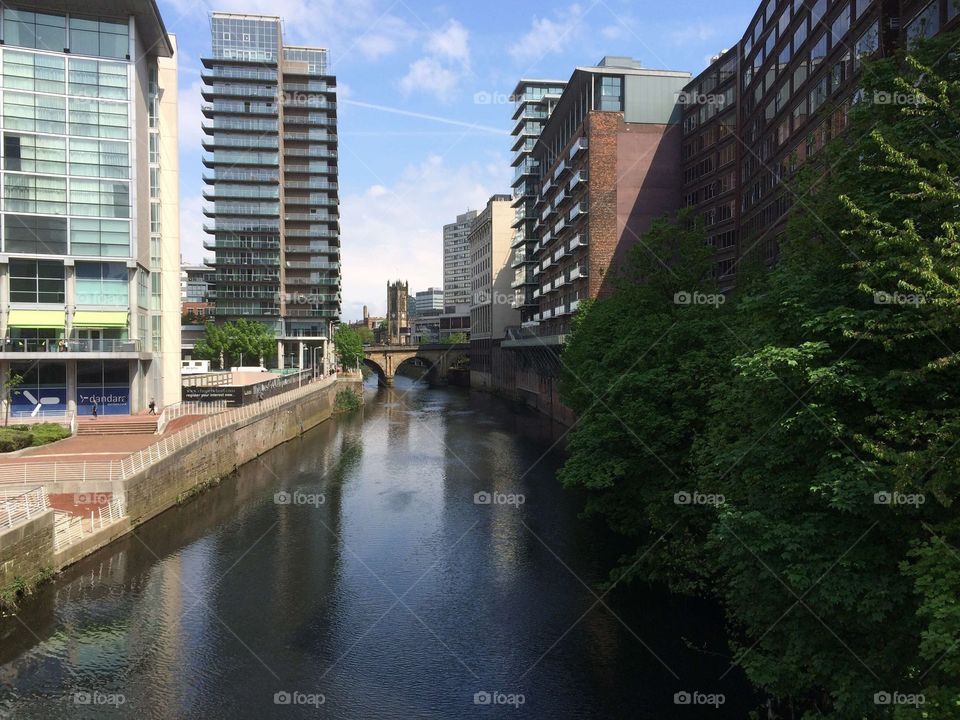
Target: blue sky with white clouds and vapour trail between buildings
424	113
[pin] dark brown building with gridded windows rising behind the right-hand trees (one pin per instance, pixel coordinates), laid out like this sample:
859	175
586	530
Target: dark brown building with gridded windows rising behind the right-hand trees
772	101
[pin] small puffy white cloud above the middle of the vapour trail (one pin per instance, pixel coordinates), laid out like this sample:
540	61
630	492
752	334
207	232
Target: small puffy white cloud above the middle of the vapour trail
445	64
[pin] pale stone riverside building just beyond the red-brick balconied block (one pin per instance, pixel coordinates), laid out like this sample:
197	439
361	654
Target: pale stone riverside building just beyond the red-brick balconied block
491	279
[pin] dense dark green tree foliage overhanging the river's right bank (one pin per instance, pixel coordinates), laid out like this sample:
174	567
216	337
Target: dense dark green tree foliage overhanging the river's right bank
815	412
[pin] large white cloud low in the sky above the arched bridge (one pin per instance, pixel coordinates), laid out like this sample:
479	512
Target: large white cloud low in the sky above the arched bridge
395	232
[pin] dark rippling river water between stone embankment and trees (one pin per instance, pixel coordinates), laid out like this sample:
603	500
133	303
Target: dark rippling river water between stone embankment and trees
351	573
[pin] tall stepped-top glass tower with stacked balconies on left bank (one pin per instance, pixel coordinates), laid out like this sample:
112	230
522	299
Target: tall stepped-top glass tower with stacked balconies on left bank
272	156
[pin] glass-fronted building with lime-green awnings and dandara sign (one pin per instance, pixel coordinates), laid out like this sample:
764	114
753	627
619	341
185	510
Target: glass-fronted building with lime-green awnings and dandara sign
89	267
